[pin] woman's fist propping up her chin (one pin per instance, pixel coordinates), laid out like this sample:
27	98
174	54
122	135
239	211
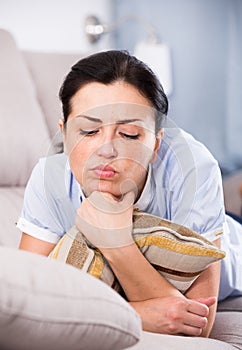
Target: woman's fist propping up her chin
105	221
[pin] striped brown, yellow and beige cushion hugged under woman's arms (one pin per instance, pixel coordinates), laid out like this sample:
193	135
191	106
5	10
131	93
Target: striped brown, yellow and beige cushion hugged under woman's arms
177	252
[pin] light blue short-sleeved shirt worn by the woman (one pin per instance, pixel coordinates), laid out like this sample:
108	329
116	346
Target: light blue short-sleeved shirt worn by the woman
184	185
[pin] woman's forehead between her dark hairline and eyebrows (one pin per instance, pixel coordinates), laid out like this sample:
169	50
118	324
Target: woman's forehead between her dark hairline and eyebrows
112	103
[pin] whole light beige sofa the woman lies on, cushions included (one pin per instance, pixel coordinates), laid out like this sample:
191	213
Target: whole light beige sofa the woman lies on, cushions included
48	304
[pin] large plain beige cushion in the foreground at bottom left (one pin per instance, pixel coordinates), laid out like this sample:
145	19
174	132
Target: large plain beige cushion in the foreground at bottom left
49	305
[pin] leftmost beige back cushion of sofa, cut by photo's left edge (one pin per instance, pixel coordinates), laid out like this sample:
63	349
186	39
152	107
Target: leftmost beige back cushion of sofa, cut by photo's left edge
24	136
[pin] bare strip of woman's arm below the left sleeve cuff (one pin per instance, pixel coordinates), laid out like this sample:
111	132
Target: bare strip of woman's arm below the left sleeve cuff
35	245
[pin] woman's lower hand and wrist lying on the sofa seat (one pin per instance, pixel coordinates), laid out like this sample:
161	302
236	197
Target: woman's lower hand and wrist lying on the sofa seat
174	315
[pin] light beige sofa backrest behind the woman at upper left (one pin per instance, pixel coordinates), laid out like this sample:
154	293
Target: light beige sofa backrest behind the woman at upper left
29	107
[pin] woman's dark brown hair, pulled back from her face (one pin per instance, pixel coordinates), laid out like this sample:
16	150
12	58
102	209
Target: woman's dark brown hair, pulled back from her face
108	67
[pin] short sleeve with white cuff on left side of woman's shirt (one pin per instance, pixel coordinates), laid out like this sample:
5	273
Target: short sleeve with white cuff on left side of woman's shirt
37	217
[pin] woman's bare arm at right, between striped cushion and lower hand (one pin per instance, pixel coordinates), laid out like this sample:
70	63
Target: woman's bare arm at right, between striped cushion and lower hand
207	284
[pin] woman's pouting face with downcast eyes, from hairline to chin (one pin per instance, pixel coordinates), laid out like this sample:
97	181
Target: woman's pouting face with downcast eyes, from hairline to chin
110	138
